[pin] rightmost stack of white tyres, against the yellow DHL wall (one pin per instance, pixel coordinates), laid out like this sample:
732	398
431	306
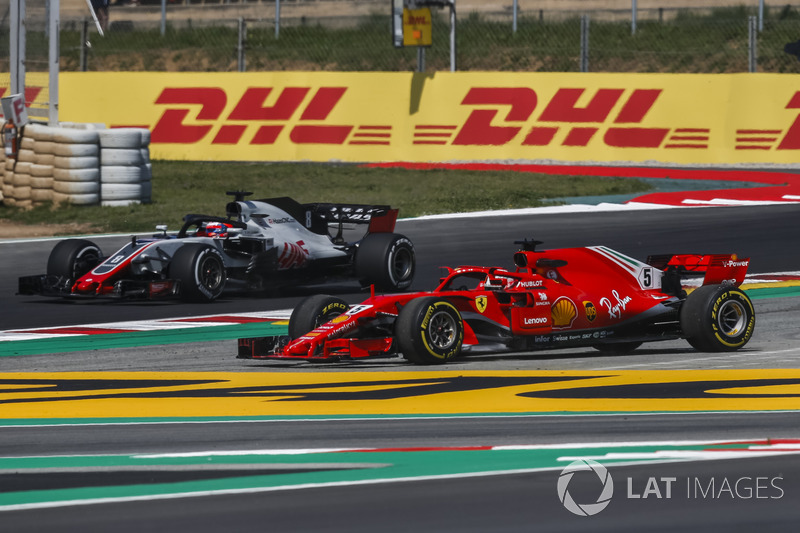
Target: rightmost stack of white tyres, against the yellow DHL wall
125	174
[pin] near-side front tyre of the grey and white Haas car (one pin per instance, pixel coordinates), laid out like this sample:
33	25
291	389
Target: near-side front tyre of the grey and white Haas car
201	271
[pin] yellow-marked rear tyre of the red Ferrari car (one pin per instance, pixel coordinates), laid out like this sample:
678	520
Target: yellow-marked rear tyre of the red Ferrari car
717	318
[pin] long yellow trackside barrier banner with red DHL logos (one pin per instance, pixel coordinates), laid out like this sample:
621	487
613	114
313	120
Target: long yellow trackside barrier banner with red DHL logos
462	116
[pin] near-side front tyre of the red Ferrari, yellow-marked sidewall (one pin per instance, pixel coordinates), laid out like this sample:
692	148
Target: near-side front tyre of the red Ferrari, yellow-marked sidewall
429	331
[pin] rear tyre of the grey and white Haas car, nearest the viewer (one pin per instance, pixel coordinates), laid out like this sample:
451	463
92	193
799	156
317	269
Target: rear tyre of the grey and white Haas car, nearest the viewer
386	260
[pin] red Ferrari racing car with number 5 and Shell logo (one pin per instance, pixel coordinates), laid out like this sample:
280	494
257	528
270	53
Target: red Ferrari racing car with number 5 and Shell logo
591	296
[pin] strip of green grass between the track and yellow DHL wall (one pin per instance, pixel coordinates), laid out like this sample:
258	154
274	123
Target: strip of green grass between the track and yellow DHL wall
180	188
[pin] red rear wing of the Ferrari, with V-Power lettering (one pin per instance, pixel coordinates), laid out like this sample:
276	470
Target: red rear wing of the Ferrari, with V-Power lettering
718	268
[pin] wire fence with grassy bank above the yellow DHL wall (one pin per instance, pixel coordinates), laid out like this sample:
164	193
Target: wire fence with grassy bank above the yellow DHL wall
736	39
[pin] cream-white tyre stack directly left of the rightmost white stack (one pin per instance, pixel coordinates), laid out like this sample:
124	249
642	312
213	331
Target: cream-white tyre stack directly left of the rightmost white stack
76	172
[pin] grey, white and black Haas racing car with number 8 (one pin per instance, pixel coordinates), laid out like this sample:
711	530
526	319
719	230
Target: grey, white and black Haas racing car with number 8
259	245
